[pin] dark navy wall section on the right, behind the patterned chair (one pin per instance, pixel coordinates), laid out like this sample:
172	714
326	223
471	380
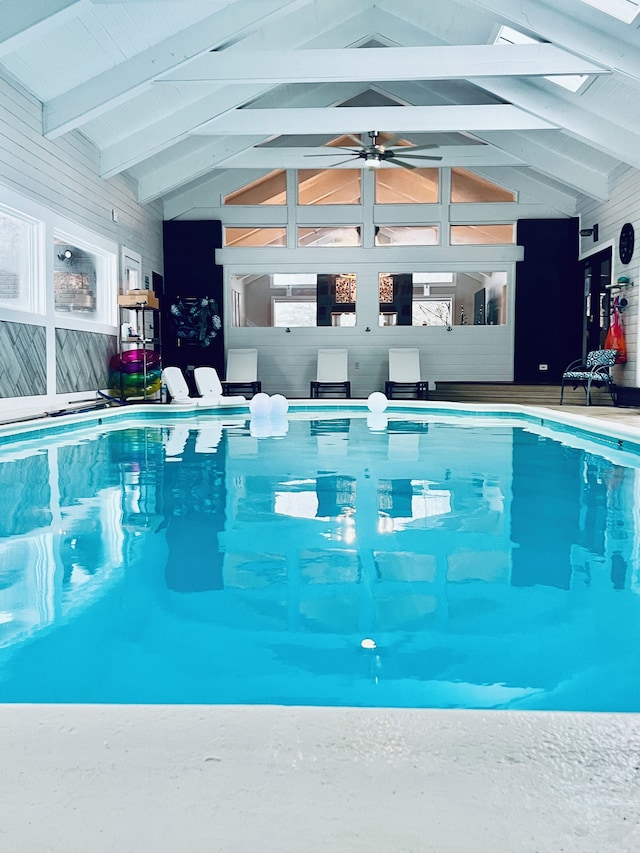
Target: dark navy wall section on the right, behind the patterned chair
549	305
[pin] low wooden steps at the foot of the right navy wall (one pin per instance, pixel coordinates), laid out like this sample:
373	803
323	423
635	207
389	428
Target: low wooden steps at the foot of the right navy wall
509	392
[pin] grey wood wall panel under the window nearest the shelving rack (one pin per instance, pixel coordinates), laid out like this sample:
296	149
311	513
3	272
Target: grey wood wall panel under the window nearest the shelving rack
82	360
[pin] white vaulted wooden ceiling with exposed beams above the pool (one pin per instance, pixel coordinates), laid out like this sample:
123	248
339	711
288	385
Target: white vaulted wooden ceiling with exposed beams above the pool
189	97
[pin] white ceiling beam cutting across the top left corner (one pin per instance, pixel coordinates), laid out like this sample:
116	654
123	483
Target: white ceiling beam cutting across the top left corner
21	22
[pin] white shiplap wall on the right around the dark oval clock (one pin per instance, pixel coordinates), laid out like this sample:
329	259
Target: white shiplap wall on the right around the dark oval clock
623	206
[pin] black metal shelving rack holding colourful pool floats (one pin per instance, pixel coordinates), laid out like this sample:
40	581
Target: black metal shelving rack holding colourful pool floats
144	319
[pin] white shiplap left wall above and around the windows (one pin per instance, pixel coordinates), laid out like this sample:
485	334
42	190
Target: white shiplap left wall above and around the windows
62	176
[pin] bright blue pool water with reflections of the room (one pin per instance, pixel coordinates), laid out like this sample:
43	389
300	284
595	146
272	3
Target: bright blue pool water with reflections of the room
335	560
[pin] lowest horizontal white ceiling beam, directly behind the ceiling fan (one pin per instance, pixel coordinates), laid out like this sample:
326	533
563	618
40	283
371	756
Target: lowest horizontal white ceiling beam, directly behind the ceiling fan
324	157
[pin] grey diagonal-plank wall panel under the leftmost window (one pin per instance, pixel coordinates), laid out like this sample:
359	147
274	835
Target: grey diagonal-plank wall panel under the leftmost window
23	360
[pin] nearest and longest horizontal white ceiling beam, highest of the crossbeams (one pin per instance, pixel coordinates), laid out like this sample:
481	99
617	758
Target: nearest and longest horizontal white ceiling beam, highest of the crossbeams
393	63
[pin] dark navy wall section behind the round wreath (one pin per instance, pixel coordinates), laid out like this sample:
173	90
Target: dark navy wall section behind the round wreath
190	271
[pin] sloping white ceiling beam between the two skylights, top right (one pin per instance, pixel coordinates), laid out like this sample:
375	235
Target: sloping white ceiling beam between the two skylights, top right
549	23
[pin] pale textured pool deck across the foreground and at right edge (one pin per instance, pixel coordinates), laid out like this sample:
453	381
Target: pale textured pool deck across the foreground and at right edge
285	779
